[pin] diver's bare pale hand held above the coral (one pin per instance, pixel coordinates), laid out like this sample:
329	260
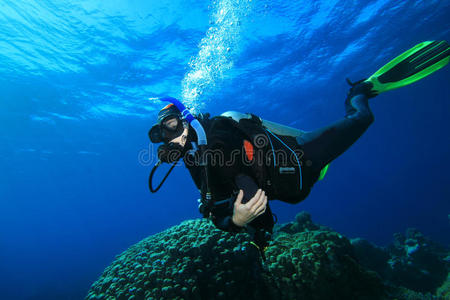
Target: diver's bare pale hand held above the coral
245	213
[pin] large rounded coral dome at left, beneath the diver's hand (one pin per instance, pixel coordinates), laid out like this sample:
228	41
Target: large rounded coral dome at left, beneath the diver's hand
193	260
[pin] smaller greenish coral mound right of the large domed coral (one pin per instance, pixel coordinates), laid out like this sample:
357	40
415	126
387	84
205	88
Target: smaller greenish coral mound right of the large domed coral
309	261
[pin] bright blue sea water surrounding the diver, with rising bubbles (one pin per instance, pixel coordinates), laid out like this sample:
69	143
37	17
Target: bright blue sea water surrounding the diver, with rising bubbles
76	78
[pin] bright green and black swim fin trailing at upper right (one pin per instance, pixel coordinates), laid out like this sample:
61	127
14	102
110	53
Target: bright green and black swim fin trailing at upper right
410	66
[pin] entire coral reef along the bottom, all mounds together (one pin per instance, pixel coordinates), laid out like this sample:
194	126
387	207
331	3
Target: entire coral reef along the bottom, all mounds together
194	260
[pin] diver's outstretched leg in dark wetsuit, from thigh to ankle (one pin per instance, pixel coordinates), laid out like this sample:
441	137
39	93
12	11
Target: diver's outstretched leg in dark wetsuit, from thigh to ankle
325	144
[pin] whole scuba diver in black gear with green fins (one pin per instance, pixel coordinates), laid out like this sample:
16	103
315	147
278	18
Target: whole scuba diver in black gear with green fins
240	162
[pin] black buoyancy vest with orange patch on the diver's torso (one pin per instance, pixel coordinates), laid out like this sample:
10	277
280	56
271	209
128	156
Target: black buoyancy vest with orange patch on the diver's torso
276	161
